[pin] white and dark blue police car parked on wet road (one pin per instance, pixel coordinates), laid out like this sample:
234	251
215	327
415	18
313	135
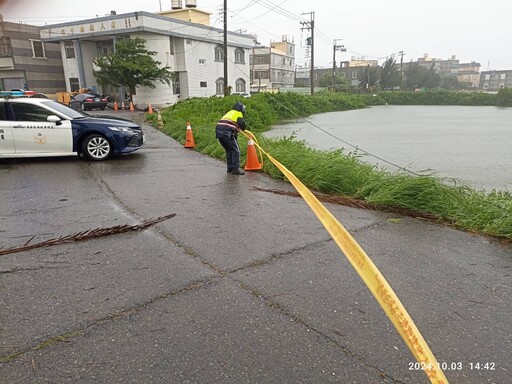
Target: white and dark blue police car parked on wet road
37	127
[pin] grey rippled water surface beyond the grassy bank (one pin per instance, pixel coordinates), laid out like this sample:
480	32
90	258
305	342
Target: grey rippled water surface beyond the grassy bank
470	144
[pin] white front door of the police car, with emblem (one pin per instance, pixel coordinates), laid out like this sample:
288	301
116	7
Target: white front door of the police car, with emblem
33	133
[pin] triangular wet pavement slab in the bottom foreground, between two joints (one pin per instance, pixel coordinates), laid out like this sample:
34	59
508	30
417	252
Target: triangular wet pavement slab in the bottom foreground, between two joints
218	333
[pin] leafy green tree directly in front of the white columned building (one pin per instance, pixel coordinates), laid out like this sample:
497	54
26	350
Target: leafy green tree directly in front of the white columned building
131	65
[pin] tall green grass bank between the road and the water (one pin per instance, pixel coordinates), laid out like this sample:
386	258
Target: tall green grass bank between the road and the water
337	172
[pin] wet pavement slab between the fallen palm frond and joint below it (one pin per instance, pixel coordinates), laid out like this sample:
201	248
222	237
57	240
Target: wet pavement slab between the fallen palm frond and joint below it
50	292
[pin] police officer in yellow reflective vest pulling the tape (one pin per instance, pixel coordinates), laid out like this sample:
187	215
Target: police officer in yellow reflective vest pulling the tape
227	132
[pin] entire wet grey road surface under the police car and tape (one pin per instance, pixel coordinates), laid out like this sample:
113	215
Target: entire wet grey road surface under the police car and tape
241	286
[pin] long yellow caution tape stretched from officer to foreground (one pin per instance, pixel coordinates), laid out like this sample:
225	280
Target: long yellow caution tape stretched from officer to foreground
372	277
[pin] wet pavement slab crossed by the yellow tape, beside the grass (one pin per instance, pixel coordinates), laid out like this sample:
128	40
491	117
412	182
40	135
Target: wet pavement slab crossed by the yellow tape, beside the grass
461	310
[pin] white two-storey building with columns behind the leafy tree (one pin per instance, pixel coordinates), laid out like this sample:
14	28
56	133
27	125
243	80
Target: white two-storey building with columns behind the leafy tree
189	47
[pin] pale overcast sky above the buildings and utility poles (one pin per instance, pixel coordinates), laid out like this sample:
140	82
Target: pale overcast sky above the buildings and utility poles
471	30
